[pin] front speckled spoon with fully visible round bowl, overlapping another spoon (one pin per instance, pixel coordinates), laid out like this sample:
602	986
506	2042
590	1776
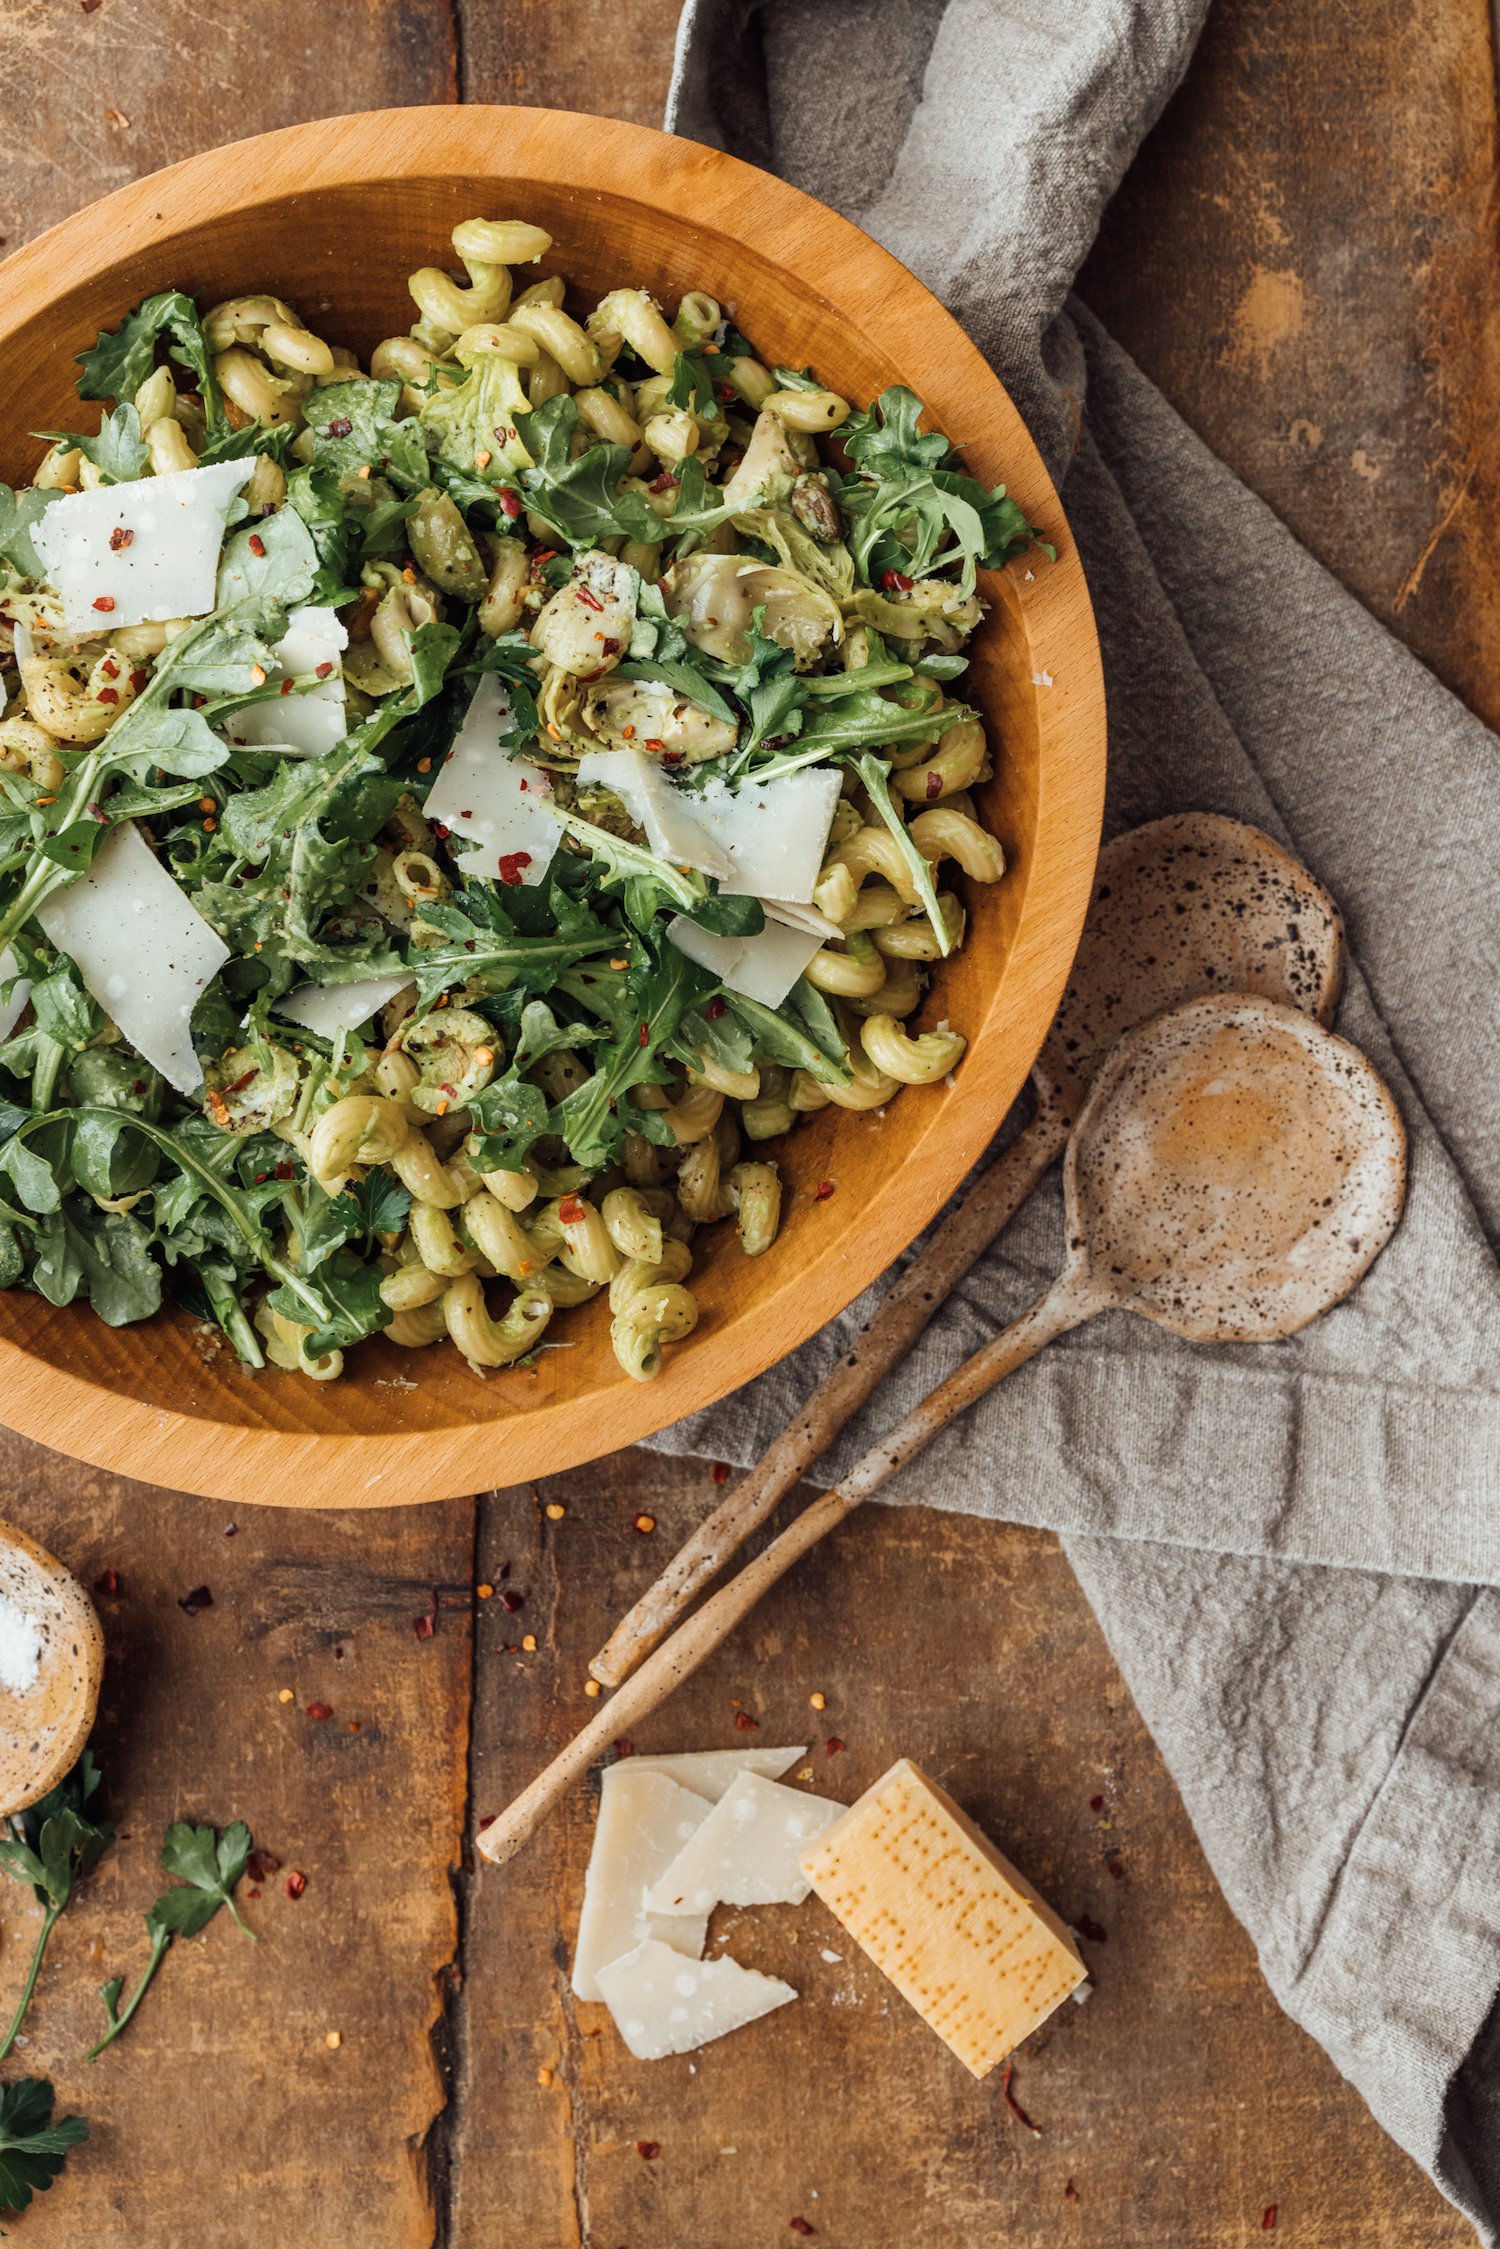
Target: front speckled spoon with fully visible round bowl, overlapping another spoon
1234	1173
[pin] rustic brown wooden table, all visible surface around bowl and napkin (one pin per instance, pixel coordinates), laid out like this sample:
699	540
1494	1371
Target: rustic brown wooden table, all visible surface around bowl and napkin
1303	262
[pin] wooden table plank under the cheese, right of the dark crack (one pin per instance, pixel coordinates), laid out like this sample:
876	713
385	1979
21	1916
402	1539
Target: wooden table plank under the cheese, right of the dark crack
1180	2104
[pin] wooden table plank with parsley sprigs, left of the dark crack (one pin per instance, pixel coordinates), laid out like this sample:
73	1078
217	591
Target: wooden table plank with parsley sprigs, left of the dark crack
224	2108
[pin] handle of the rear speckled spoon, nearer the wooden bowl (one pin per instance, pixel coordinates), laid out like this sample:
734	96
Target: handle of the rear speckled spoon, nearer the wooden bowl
885	1342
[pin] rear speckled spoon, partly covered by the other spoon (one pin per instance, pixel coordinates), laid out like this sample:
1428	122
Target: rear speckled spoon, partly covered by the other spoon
1189	905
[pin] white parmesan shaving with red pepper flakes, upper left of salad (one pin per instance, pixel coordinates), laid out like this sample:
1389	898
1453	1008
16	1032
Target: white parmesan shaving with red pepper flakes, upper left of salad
132	554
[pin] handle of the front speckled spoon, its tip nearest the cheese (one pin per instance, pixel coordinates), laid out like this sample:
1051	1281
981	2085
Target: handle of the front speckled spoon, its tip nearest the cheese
683	1652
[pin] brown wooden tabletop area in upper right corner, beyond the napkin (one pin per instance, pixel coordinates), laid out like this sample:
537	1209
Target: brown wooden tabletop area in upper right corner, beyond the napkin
1305	262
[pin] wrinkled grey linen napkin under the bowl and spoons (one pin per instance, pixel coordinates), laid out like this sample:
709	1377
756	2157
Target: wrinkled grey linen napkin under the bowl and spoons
1292	1548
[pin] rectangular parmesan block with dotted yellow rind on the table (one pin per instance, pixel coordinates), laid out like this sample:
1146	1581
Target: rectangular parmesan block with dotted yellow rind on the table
946	1917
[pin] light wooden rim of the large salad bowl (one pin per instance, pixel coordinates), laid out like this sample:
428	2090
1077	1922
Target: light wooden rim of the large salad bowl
1047	608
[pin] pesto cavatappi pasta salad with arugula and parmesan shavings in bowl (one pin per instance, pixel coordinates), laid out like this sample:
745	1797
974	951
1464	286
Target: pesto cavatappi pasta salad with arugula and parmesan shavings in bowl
552	786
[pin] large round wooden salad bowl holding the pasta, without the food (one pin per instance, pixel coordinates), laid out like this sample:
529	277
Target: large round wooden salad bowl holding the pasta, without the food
336	217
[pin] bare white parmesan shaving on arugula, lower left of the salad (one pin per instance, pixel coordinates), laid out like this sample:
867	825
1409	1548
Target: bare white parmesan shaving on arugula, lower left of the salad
143	950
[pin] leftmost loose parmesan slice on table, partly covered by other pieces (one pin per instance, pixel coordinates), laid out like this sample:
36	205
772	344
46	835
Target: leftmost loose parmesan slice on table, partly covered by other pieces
644	1821
